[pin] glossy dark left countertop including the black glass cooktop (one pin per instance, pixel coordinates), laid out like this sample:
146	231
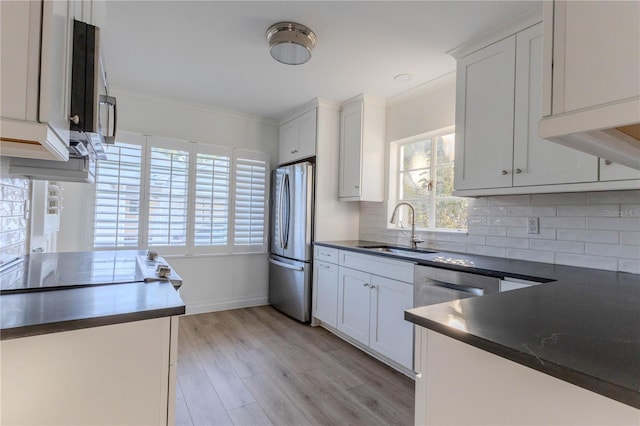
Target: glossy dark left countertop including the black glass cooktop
52	292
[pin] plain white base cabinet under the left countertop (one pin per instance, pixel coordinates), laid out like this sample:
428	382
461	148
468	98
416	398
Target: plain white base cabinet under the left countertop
116	374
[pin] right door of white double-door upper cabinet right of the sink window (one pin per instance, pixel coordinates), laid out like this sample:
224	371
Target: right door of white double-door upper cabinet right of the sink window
537	161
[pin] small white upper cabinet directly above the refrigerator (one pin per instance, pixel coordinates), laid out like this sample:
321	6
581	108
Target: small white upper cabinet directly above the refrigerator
298	138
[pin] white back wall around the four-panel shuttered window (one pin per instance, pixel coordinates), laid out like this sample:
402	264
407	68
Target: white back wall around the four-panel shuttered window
211	282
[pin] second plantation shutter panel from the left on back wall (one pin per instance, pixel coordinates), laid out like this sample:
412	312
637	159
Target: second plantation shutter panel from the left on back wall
168	175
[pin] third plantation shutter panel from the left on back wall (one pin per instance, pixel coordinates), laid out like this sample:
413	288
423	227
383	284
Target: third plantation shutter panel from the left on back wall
211	199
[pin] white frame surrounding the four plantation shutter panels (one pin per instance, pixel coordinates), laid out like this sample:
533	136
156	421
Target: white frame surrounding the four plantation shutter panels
193	148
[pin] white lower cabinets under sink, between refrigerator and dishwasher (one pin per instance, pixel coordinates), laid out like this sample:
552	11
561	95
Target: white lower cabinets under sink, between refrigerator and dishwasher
358	302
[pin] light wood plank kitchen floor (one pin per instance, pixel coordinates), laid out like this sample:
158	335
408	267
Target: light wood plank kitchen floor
255	366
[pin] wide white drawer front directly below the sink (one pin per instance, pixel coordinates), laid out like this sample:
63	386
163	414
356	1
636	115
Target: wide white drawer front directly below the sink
378	265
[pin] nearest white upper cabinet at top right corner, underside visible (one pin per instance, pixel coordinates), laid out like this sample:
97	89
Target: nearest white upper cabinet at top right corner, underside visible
591	85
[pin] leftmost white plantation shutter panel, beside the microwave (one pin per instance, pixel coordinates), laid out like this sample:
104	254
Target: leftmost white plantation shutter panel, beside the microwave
117	194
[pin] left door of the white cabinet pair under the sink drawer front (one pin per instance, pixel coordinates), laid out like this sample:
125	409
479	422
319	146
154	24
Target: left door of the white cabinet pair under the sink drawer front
353	303
